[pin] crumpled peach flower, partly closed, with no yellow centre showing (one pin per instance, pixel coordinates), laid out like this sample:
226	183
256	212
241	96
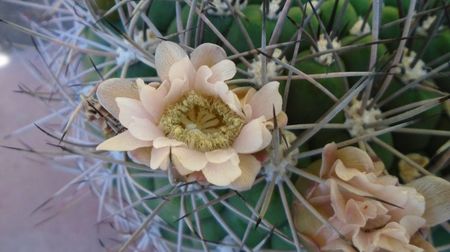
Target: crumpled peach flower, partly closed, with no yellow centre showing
373	212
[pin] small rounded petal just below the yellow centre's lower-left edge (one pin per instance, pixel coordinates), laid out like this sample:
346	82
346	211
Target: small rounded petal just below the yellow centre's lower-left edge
190	159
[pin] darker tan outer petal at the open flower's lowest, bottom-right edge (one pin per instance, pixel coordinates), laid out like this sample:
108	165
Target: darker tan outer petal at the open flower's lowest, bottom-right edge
250	168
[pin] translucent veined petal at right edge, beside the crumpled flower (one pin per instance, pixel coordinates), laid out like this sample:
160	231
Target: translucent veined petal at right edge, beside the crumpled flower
436	192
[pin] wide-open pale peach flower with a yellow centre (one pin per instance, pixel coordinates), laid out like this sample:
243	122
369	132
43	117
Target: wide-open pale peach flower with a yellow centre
192	120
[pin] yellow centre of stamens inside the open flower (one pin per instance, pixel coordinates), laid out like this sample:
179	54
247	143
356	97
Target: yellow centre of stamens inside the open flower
203	123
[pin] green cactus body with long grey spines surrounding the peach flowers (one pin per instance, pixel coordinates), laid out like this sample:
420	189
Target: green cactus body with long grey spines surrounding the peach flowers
362	73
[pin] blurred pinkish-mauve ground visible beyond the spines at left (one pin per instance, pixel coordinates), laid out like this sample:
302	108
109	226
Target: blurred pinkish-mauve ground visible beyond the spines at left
26	183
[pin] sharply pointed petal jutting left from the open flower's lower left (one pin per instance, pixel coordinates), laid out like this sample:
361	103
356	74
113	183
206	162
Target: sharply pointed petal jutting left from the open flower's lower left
123	142
